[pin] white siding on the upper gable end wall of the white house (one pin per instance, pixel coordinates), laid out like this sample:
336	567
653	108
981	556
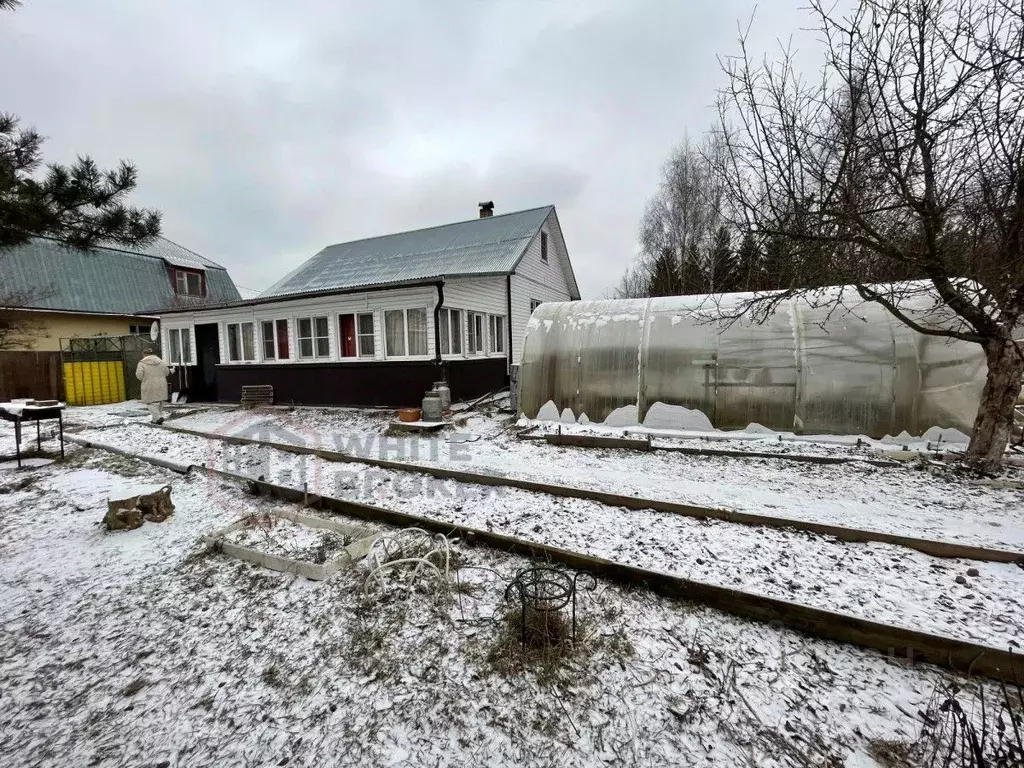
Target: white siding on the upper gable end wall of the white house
534	279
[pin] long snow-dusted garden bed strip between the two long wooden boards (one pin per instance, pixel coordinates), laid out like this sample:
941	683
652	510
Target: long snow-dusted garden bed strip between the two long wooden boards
878	582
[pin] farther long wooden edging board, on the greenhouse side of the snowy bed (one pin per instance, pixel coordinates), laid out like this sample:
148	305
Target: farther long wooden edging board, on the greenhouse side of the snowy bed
854	536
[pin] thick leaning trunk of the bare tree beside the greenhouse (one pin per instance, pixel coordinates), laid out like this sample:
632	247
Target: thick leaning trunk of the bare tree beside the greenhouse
996	412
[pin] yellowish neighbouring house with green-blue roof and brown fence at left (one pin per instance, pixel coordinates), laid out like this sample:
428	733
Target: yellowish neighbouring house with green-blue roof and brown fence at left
51	294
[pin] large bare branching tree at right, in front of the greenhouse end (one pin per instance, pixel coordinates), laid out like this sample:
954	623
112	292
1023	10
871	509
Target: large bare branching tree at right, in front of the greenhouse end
905	159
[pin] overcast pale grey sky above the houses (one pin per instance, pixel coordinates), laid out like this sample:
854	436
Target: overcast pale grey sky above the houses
265	132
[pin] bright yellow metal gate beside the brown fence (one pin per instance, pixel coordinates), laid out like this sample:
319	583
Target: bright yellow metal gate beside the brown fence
99	370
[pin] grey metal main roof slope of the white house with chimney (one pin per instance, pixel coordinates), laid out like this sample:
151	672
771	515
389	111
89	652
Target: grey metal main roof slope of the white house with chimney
483	246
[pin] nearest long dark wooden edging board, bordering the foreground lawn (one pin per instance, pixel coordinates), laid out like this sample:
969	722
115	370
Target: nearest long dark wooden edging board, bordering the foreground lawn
898	644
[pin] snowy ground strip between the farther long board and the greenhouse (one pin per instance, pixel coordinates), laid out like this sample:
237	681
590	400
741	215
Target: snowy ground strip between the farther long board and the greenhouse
915	500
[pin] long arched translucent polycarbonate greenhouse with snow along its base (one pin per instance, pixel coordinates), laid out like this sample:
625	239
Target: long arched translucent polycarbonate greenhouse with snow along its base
806	369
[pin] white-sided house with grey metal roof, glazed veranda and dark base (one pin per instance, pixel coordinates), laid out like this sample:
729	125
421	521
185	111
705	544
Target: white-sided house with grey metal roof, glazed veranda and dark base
375	322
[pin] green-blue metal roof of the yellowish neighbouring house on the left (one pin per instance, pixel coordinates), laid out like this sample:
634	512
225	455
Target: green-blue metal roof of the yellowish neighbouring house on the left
105	280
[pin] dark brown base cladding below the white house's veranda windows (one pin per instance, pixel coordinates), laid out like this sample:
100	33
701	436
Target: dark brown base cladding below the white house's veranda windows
388	385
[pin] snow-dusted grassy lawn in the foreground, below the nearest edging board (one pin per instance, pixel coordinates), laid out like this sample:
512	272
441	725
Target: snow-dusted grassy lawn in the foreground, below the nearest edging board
136	649
